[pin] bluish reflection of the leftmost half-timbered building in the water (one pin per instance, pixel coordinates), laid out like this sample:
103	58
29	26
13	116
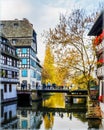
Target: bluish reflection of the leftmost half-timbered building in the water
8	117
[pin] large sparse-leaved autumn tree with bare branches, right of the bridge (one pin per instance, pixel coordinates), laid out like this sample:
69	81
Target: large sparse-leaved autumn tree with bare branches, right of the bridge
72	47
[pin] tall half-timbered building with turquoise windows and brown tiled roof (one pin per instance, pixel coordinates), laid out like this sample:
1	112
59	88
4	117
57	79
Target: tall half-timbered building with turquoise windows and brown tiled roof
22	36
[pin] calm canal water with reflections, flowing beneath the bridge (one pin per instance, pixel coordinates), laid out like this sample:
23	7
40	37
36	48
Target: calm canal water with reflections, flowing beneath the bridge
53	113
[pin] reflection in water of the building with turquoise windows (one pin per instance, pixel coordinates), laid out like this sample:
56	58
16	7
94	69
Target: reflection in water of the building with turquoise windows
29	119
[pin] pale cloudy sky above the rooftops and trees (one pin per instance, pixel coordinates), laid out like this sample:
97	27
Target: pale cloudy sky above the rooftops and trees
43	14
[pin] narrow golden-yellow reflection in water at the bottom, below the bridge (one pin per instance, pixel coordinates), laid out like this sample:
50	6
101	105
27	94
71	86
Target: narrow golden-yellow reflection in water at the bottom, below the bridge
48	120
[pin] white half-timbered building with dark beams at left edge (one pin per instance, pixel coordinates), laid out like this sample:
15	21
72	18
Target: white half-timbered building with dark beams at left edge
9	71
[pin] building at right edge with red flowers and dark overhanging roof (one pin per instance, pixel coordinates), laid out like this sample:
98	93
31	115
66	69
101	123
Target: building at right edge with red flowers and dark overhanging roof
98	32
